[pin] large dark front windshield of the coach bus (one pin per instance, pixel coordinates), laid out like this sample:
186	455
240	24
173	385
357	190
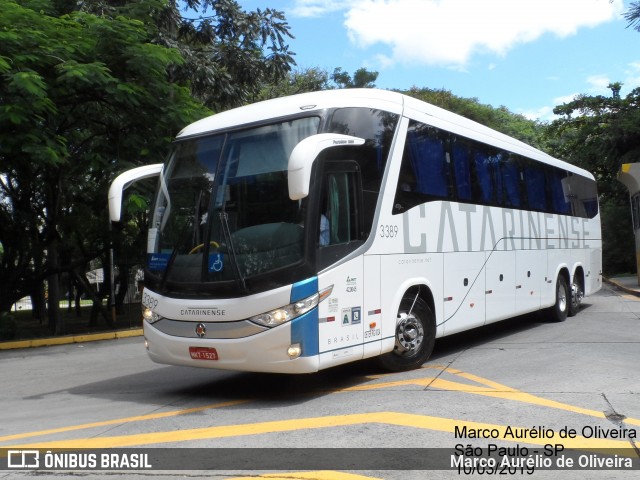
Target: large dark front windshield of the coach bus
222	212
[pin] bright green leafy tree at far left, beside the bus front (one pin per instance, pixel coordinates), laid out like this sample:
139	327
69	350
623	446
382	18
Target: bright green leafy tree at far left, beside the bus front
82	97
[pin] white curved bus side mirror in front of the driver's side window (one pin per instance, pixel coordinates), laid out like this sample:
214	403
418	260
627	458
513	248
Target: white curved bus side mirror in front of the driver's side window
305	153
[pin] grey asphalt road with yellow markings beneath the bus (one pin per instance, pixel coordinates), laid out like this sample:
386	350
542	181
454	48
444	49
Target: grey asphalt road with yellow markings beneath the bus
575	385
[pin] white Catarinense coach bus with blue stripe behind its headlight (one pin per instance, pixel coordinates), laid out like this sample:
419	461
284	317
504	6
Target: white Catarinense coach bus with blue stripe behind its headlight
310	231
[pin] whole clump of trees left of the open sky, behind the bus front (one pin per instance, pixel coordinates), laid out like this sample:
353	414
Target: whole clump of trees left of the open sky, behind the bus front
91	88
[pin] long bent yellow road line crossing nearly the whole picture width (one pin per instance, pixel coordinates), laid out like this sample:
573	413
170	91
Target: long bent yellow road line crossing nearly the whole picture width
423	422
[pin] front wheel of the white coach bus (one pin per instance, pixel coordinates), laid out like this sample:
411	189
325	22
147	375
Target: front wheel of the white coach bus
415	336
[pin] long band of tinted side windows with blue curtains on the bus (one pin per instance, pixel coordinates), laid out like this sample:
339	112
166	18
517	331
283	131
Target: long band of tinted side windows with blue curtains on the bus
438	165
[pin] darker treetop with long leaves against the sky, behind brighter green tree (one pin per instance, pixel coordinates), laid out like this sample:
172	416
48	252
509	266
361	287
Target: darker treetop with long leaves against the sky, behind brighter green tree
229	54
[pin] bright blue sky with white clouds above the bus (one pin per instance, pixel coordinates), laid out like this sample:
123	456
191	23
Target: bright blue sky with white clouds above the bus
525	55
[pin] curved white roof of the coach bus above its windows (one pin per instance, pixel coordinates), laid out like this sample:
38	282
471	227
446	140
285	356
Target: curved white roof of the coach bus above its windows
370	98
